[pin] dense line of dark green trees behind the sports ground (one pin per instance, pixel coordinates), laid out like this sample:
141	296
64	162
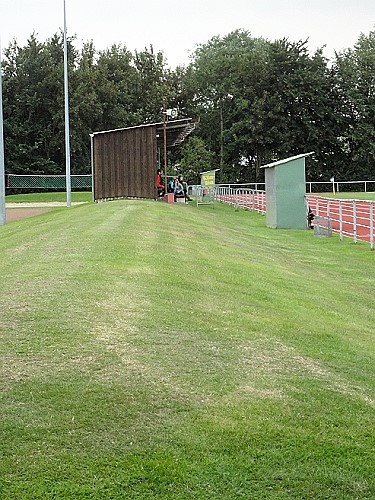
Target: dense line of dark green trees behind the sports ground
256	101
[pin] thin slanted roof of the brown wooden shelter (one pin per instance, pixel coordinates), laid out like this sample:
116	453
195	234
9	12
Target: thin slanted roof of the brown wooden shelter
177	131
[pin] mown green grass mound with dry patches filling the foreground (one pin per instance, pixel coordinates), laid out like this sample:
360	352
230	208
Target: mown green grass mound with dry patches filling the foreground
167	351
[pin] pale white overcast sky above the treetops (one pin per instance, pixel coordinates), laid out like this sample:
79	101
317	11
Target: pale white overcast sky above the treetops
177	26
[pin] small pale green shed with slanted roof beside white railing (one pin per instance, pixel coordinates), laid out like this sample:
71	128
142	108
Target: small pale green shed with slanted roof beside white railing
285	193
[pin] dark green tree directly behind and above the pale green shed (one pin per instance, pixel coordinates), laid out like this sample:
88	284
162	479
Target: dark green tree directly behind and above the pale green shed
303	106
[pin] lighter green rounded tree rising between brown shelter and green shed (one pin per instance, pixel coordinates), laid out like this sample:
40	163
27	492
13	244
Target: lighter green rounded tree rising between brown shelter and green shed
224	70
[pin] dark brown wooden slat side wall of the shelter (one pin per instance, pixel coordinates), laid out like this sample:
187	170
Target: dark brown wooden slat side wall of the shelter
125	163
